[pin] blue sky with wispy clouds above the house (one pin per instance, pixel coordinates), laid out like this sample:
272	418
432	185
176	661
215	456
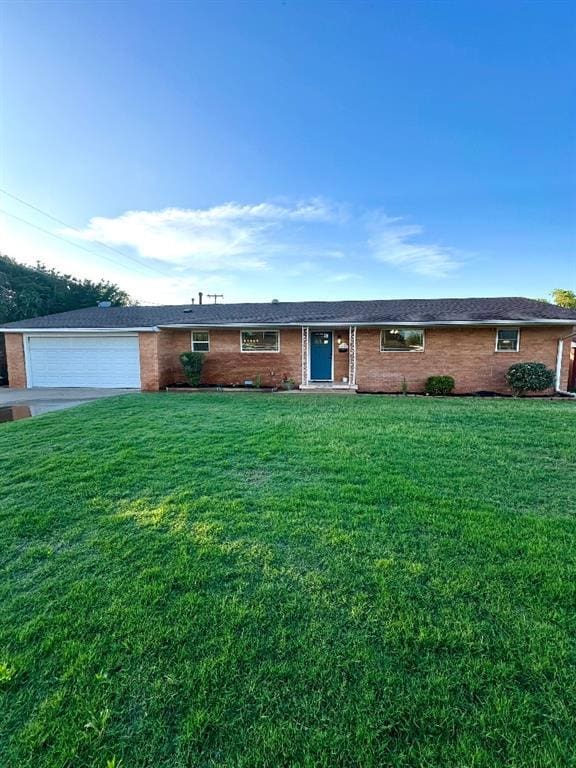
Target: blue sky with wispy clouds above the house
293	149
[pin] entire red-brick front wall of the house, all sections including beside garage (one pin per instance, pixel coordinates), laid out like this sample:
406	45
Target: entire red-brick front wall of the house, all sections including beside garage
465	353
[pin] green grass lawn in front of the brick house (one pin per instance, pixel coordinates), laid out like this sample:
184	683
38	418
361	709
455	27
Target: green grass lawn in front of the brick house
261	580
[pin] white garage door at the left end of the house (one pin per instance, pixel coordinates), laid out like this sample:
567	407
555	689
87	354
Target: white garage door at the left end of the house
83	361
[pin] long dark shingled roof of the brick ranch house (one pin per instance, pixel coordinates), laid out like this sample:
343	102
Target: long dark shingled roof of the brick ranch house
387	311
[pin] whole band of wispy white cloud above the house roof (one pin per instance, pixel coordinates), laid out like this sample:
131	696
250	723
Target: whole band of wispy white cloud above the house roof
295	238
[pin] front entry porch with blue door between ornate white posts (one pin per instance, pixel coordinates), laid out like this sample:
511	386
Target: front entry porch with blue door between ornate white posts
329	359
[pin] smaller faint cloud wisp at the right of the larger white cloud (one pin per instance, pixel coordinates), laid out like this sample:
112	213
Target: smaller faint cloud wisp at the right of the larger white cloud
393	243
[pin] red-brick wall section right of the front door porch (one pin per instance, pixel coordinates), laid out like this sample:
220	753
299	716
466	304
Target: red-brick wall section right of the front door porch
465	353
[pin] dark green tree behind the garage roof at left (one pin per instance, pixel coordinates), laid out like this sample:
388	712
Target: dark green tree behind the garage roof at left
31	291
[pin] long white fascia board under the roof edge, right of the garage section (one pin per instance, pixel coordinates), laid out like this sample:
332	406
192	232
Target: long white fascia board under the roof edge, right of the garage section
381	324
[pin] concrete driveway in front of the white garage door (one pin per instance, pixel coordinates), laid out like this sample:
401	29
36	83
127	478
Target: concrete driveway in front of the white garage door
23	403
